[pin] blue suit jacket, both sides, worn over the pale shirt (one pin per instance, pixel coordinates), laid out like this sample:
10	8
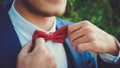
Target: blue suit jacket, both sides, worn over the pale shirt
10	45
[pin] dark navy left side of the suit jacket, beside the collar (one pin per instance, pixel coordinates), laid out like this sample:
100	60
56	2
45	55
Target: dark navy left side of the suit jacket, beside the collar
9	43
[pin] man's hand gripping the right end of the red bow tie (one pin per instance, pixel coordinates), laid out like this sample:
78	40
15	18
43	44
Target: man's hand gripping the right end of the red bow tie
86	36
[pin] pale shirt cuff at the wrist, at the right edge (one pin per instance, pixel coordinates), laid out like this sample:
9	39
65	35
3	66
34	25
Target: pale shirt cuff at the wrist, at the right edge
110	58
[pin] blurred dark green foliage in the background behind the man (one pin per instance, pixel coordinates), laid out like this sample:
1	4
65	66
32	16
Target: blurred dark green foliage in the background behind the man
103	13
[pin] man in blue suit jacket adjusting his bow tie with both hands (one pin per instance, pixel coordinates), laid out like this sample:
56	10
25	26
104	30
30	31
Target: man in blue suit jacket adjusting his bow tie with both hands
19	20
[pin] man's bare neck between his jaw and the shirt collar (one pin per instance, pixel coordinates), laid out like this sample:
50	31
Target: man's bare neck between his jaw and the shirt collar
43	22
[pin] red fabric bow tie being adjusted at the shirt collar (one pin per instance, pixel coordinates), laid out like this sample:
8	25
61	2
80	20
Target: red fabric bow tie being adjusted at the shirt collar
57	36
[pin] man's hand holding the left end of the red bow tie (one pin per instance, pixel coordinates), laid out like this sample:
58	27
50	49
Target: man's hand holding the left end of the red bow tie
39	57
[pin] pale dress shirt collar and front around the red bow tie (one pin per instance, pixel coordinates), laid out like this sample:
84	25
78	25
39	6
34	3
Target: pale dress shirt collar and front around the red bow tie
25	30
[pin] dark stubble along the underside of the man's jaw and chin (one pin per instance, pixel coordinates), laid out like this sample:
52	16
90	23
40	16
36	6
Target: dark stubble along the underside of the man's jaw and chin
45	13
